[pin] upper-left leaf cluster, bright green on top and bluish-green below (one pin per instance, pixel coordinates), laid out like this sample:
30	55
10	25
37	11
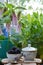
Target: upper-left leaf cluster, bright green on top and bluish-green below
8	10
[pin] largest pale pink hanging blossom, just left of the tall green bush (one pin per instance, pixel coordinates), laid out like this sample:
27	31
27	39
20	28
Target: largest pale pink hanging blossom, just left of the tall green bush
15	23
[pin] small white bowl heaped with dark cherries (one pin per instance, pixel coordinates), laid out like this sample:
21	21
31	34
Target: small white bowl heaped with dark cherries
14	54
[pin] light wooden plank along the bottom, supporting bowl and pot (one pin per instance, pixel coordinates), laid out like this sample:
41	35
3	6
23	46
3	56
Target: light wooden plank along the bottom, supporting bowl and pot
5	61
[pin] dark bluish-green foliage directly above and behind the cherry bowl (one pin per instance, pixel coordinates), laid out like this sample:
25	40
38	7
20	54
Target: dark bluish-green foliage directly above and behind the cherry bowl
16	40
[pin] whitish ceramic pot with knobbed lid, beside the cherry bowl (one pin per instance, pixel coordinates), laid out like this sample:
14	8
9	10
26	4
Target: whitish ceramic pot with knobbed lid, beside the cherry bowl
29	52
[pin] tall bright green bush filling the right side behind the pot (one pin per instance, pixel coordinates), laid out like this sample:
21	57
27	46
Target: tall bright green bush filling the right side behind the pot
32	30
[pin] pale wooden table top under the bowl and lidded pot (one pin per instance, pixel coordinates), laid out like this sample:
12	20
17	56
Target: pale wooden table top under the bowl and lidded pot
22	61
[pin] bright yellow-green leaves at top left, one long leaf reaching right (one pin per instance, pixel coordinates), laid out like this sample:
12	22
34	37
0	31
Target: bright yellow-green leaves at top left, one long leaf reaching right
10	8
